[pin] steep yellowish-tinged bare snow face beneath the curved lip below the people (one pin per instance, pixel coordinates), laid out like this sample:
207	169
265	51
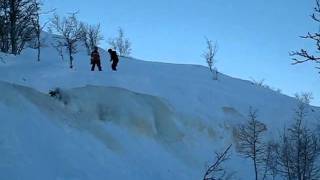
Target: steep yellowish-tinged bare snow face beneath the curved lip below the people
142	114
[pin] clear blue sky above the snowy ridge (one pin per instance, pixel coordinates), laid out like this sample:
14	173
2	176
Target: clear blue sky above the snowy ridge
254	37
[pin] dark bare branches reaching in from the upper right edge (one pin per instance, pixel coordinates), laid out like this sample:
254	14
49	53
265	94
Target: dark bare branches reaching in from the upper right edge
304	55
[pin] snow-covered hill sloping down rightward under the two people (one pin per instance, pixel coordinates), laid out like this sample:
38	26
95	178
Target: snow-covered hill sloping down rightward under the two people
146	121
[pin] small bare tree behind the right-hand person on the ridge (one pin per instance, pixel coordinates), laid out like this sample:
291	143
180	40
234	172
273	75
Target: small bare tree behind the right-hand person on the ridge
121	43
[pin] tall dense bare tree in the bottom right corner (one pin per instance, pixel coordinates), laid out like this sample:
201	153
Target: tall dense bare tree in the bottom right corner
299	148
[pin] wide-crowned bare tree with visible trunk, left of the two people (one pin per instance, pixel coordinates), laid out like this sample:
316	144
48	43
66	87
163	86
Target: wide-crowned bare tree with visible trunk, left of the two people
69	33
